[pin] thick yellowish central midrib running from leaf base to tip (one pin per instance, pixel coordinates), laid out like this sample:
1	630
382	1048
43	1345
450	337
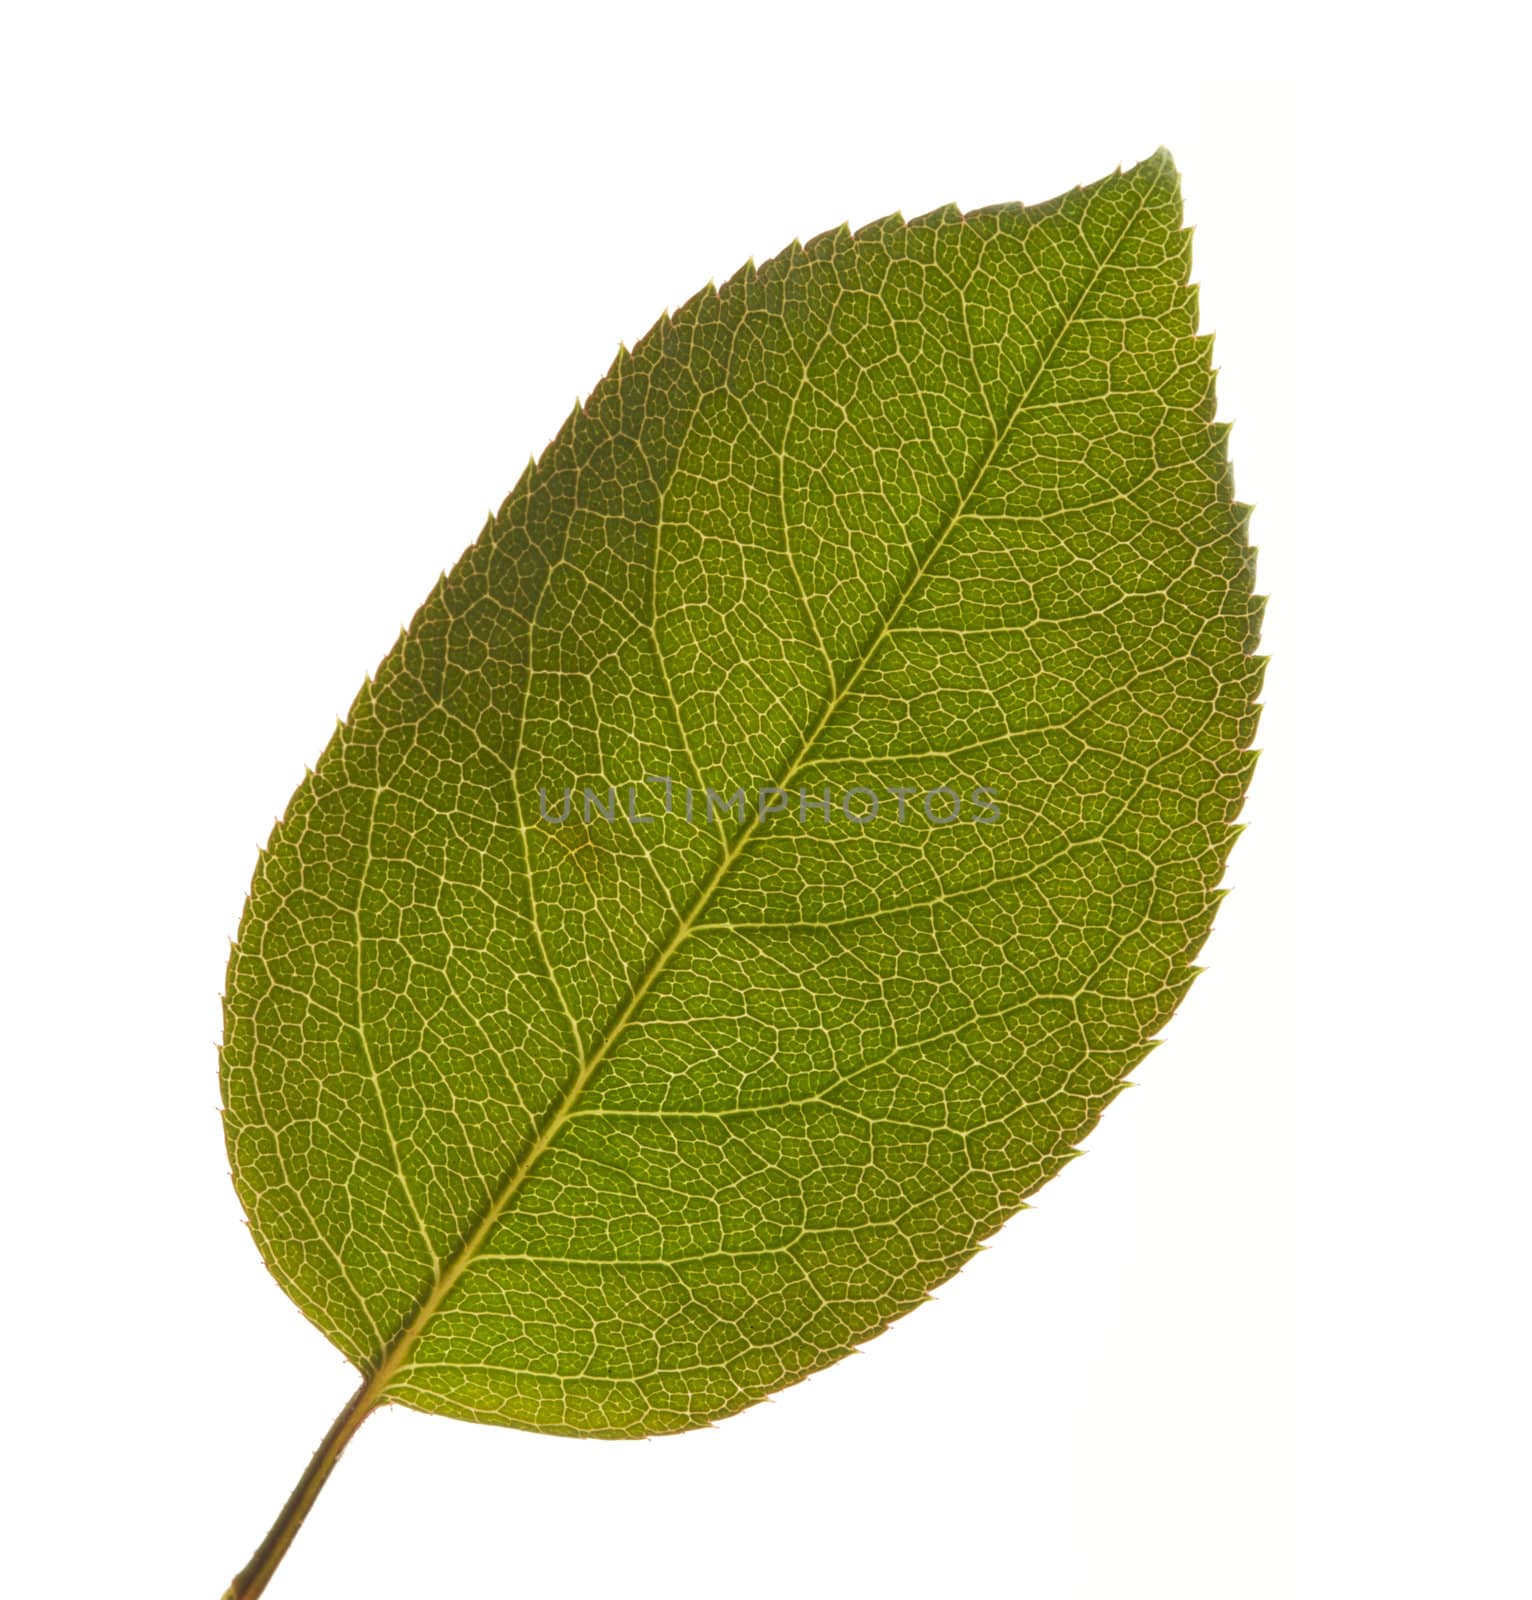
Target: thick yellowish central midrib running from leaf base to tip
397	1354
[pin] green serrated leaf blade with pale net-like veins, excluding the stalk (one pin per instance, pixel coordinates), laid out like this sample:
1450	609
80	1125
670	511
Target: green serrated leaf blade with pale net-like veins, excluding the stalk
612	1129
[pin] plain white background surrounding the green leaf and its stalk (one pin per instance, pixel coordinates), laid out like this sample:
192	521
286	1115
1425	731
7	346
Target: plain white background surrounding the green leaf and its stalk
289	297
